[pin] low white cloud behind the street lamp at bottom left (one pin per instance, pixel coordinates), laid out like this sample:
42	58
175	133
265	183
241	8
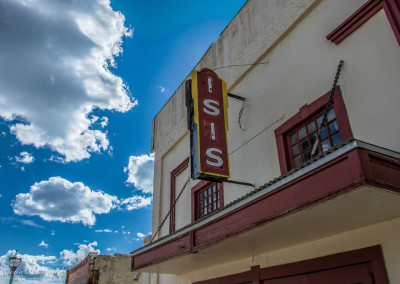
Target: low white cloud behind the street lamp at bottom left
34	266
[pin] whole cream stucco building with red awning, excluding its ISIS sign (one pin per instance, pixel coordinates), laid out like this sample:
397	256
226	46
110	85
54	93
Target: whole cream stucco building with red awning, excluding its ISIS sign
308	219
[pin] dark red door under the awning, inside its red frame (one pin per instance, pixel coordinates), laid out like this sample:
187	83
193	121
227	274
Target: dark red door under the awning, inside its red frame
352	274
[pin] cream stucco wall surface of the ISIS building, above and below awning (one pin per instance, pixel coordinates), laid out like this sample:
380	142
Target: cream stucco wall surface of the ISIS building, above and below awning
298	66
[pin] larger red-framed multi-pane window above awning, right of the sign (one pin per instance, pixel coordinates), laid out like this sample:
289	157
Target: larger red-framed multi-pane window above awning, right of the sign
296	137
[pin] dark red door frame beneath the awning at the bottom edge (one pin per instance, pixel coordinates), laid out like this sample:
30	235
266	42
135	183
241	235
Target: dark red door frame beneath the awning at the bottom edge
371	255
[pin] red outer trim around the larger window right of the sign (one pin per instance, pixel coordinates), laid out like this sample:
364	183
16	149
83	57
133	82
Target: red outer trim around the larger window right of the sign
306	112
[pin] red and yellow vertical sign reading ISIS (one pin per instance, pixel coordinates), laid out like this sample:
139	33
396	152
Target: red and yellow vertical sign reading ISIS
207	102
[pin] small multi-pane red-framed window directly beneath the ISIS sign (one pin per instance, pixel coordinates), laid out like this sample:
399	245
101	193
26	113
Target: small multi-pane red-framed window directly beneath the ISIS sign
207	197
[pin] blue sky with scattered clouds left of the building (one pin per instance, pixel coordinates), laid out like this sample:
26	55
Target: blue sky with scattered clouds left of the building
80	82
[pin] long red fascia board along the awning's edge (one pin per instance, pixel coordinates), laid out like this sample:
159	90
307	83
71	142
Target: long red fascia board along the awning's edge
349	171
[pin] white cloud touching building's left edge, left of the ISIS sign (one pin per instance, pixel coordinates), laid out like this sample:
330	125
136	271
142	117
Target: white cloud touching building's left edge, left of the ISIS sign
141	172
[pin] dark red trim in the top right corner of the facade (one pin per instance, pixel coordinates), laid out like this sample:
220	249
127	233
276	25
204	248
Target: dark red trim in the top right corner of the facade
370	8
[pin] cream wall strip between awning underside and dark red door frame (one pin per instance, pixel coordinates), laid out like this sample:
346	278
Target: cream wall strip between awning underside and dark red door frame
384	234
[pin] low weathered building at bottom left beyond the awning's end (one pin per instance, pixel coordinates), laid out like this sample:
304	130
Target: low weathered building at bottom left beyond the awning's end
101	269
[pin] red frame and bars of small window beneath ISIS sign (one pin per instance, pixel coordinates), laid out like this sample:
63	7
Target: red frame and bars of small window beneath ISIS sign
199	189
